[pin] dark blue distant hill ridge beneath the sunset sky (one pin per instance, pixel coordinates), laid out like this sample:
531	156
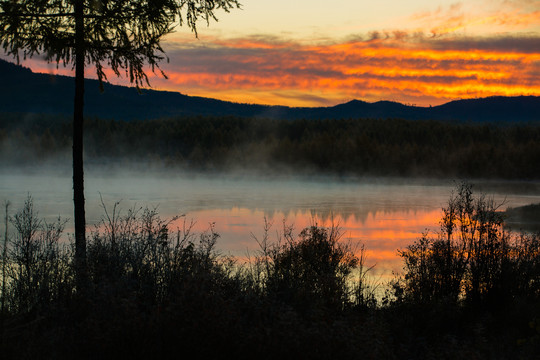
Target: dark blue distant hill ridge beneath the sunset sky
25	91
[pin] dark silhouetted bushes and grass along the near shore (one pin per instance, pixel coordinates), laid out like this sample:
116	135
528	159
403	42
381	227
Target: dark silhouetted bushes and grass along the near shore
471	290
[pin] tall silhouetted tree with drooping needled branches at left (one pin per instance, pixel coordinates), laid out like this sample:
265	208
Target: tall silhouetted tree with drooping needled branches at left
123	34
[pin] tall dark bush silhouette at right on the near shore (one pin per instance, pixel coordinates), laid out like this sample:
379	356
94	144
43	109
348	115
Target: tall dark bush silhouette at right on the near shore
473	259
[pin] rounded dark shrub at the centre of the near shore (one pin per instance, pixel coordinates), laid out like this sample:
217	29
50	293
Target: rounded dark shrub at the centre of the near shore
312	271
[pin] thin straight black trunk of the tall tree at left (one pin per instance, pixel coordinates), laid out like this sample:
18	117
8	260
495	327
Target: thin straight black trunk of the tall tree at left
78	173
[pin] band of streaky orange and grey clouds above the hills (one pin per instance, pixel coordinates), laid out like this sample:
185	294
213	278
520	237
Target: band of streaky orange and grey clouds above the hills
403	67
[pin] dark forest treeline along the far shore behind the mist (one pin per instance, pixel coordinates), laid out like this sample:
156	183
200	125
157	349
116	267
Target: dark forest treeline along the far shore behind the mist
380	147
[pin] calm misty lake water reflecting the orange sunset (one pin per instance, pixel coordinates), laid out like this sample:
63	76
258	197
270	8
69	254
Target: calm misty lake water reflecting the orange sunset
384	215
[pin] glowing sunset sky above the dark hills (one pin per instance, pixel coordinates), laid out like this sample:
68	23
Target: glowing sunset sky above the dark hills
323	53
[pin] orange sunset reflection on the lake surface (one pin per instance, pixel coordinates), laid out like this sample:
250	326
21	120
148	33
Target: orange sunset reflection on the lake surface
382	233
